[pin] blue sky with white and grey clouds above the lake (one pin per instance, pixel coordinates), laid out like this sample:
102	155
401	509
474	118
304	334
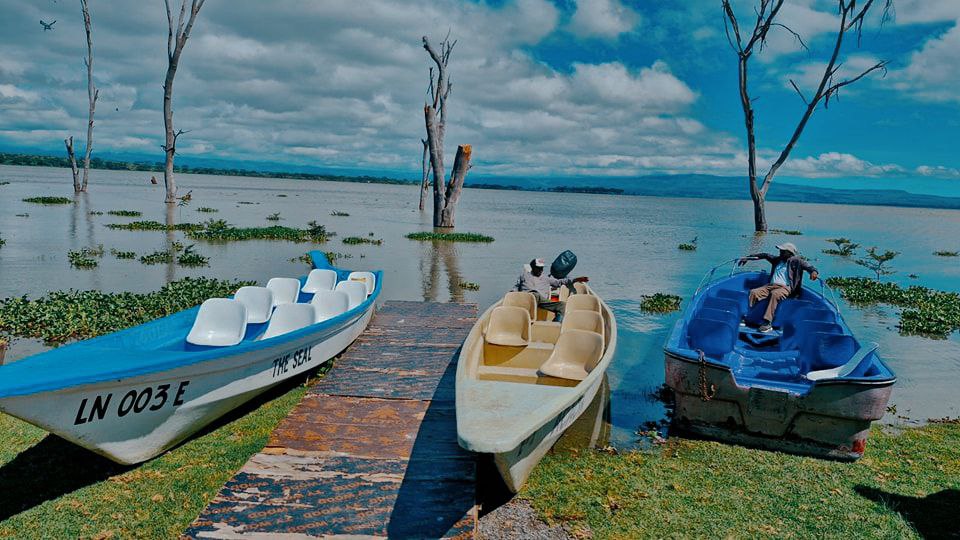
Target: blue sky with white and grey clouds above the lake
540	87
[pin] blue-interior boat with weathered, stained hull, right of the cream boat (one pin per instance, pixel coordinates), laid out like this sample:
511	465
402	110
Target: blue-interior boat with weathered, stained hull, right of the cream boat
808	387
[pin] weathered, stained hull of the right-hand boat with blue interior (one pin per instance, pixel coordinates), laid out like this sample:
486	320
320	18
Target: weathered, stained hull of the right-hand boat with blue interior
831	420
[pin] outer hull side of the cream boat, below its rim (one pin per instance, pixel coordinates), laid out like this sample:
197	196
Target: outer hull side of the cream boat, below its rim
516	465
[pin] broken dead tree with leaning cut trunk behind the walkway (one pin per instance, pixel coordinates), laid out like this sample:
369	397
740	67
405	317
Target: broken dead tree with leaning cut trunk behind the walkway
445	194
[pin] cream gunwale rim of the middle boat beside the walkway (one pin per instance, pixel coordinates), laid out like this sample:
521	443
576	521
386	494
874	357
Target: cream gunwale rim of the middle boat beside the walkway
569	395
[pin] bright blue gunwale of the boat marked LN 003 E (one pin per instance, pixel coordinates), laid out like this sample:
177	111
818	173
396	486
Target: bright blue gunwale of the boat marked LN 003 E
177	359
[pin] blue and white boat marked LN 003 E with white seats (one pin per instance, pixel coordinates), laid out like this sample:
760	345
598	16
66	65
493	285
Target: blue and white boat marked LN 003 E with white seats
135	393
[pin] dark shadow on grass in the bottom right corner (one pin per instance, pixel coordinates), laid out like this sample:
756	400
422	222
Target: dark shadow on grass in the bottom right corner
933	516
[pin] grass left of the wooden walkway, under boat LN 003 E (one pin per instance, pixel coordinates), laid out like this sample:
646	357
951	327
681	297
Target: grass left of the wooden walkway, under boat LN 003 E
52	489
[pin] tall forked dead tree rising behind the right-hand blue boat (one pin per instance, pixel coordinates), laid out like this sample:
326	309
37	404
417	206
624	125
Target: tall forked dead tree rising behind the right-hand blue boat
851	18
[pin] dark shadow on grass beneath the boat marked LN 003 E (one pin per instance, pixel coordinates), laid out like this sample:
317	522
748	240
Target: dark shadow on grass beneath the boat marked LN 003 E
55	467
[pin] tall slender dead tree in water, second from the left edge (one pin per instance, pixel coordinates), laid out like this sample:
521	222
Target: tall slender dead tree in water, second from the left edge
176	39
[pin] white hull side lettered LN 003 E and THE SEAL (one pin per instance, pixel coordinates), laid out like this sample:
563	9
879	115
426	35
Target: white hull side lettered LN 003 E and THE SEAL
135	419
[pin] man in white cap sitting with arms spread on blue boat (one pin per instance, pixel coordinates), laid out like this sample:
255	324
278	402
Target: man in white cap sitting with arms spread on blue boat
786	279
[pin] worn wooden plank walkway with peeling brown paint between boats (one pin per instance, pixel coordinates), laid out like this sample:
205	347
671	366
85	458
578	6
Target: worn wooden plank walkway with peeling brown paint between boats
371	451
